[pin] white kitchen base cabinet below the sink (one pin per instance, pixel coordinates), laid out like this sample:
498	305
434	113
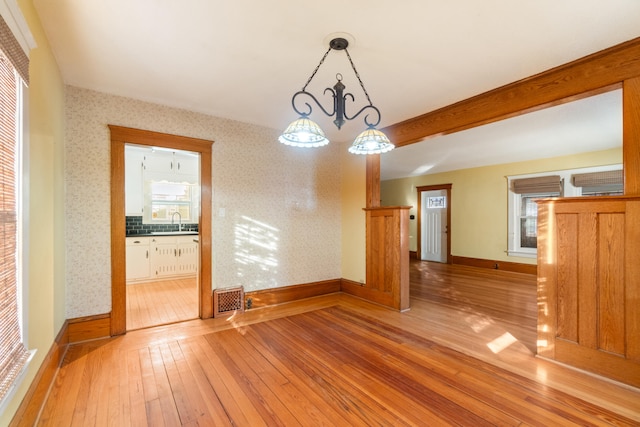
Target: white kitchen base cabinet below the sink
174	256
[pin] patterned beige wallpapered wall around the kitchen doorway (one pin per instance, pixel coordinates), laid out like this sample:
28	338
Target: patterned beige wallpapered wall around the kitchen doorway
276	209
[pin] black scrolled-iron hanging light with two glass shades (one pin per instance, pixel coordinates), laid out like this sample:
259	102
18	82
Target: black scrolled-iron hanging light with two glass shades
304	132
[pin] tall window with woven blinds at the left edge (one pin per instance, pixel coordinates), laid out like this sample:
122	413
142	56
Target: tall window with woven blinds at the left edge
13	354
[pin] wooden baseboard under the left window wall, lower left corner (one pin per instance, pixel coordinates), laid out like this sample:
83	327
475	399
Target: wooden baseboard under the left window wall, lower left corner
34	399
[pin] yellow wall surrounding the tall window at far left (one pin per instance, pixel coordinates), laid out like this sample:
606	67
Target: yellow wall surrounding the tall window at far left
46	287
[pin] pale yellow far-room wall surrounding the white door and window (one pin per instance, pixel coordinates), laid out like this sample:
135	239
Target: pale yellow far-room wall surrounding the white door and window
479	201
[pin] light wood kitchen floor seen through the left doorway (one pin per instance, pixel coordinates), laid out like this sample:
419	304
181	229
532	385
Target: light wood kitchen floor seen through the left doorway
161	302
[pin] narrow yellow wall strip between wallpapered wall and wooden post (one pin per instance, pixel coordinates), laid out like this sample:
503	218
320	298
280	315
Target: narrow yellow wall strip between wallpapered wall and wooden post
353	217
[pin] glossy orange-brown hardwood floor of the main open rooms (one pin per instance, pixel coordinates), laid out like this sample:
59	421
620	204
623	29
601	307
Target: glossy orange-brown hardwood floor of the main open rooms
339	360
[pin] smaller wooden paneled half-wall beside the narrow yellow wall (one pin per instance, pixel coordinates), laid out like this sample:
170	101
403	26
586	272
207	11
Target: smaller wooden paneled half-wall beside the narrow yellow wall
387	253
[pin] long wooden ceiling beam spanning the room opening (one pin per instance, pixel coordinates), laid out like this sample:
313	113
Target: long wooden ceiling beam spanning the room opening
595	73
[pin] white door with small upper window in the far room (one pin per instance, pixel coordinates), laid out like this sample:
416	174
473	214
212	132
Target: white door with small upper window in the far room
434	227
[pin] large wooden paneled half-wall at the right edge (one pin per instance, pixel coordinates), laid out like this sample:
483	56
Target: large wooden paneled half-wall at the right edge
589	284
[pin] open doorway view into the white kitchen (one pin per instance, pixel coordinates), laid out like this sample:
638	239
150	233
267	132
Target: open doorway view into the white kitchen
162	205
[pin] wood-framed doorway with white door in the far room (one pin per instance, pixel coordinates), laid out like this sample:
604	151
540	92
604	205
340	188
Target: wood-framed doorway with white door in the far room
434	219
